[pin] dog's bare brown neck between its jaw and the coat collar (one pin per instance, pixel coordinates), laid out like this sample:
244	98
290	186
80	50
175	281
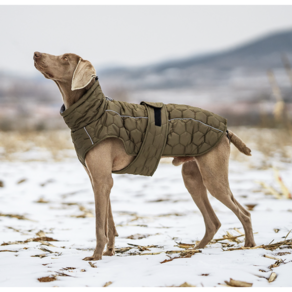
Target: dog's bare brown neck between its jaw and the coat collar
70	97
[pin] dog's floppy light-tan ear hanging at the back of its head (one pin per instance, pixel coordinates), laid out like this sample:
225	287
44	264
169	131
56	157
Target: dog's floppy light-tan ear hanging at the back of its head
83	74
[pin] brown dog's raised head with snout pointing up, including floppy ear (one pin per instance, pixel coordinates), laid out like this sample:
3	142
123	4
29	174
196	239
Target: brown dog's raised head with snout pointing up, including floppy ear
68	68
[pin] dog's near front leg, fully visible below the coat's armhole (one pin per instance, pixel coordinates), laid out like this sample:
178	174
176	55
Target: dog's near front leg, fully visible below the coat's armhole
99	170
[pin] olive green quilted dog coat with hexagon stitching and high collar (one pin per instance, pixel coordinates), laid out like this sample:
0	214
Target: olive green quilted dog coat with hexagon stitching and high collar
148	130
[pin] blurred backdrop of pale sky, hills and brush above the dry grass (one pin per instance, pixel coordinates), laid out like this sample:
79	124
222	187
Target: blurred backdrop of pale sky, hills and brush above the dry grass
232	60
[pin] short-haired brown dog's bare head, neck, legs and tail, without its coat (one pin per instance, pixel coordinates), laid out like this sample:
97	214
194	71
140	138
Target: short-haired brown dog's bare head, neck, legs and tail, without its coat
75	77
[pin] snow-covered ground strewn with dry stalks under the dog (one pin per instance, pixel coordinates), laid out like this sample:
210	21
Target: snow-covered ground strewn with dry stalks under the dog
57	199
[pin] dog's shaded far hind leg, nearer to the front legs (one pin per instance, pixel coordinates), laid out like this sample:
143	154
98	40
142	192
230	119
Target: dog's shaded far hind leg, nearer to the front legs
194	184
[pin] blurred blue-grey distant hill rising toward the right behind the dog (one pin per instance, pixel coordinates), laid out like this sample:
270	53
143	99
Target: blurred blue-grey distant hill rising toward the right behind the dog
258	55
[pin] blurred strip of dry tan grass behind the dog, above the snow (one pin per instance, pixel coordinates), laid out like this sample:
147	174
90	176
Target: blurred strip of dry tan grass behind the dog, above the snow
269	142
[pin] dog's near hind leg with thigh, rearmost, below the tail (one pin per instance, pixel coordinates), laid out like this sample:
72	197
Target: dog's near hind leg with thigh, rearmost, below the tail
214	170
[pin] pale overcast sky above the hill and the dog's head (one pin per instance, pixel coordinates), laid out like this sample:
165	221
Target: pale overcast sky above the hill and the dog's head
130	35
